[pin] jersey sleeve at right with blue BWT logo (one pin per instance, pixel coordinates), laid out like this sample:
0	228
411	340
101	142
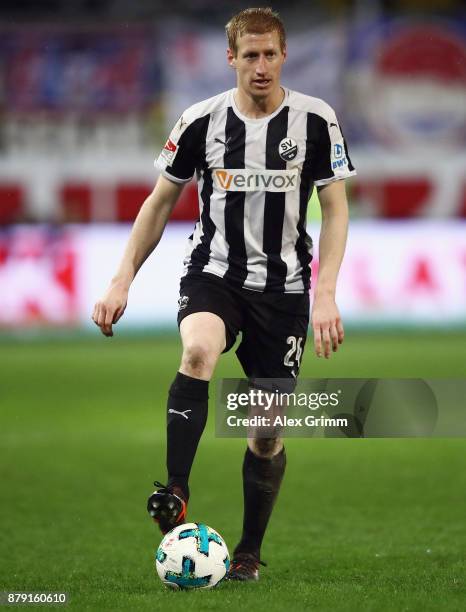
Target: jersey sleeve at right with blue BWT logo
332	161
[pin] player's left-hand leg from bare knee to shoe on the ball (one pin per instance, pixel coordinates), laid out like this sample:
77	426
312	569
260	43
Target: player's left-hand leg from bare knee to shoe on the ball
203	338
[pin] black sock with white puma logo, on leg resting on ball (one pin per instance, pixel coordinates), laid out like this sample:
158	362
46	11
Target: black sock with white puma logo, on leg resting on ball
186	418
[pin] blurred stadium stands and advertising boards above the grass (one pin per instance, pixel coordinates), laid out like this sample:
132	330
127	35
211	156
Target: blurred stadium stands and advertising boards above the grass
90	90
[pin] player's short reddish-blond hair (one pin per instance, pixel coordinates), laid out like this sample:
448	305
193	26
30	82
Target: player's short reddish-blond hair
254	21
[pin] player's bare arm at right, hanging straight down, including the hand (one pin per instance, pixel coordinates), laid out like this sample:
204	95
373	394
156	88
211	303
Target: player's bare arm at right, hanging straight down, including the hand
326	321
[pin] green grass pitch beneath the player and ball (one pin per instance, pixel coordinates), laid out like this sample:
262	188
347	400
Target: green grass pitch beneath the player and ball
359	525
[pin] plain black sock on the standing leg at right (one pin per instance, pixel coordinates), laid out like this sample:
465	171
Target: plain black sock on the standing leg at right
261	482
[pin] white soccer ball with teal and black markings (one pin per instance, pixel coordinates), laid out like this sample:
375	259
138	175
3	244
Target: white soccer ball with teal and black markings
192	556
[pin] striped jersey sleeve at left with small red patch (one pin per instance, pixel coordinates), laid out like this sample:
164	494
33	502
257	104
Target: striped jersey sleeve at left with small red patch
178	158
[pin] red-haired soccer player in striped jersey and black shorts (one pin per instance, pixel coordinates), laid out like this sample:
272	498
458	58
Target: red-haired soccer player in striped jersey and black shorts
256	150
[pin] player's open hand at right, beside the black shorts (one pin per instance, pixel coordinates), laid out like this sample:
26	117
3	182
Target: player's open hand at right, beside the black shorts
327	326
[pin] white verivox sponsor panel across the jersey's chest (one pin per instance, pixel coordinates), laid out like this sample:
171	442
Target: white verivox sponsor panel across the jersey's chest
256	180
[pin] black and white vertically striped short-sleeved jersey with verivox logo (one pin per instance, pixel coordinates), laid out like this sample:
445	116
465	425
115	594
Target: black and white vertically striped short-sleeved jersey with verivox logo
255	177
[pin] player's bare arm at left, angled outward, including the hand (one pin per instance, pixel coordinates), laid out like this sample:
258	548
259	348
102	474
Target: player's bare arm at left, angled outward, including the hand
145	235
